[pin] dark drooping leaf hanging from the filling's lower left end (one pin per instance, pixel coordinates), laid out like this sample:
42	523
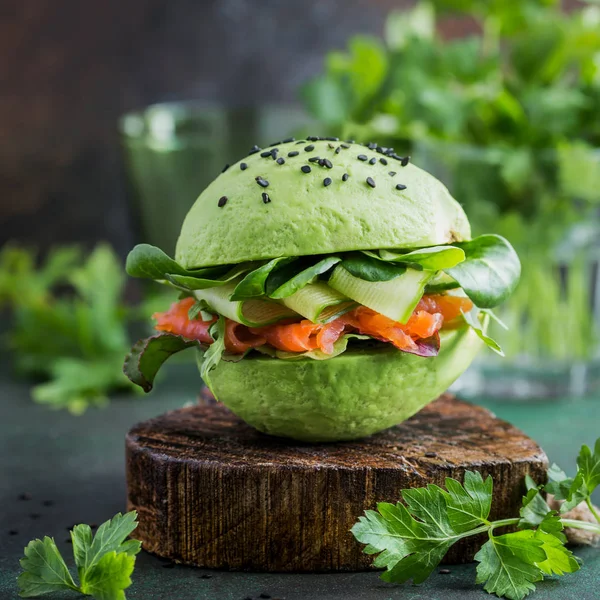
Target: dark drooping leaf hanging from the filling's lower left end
148	355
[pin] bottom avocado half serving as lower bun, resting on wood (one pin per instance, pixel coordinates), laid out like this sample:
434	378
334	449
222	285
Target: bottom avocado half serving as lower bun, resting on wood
353	395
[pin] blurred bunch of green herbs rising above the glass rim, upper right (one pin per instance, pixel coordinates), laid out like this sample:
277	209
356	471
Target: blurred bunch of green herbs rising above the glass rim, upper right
530	76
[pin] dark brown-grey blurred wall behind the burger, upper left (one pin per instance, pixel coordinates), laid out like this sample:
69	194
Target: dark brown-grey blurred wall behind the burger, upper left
68	69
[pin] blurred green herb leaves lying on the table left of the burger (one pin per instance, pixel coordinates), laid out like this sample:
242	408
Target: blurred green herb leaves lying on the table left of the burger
68	325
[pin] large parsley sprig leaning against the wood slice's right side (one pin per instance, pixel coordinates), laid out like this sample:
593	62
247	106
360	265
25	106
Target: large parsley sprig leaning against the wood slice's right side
410	538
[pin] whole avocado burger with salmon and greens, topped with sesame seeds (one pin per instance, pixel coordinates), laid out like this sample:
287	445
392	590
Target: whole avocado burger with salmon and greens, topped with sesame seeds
331	289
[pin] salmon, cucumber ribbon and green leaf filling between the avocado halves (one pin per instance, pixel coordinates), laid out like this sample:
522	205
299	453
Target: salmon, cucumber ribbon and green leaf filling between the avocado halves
316	307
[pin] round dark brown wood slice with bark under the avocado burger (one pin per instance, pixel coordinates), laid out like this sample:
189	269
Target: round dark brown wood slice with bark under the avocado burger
213	492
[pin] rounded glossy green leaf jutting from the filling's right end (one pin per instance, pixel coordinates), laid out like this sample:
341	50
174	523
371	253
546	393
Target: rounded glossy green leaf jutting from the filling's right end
490	272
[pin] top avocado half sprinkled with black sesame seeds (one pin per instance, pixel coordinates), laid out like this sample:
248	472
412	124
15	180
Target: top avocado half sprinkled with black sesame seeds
305	216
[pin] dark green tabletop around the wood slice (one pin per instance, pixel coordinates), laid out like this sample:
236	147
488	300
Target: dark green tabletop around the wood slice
73	468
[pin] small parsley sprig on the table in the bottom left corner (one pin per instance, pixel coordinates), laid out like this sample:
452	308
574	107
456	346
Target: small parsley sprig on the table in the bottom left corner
104	561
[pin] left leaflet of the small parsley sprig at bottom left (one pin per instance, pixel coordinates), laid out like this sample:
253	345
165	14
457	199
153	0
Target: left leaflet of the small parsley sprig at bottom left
44	570
